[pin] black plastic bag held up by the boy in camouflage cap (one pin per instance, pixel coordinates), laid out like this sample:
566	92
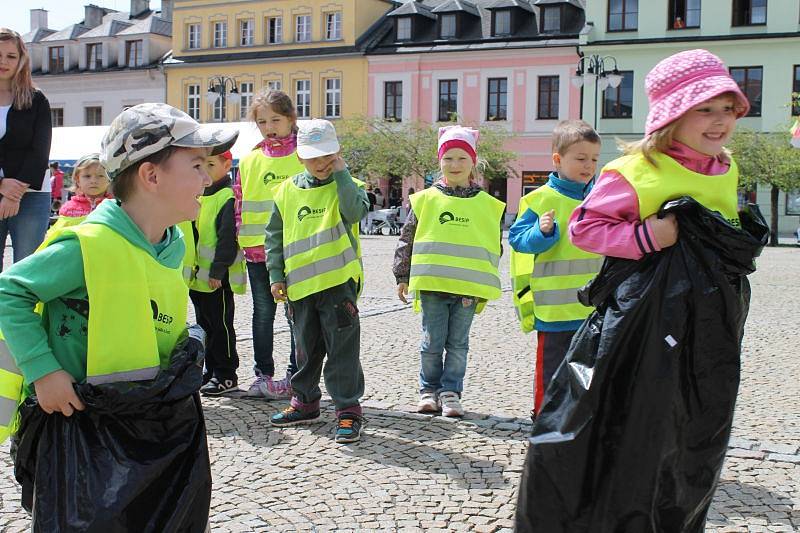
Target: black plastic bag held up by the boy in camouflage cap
136	459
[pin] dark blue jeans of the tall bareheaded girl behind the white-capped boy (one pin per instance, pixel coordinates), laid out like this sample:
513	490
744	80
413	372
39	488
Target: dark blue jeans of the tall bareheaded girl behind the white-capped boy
264	308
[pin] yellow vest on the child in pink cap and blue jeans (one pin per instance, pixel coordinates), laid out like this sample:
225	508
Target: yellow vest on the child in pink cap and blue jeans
456	244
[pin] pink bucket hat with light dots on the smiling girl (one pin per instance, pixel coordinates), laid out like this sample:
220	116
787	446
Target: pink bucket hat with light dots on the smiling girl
683	80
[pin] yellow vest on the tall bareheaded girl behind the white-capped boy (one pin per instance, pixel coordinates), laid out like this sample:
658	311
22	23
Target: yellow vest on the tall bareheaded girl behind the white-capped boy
260	177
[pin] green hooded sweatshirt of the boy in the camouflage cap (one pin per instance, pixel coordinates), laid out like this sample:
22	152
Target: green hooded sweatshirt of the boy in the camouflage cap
58	339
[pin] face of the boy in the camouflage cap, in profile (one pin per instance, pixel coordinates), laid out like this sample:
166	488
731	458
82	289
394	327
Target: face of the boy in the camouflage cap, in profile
181	181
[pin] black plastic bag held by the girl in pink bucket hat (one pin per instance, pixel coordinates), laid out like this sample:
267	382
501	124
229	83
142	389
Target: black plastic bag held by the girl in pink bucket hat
635	424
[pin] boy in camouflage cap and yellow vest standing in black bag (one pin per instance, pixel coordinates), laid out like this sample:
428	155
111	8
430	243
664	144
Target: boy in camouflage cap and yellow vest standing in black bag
110	379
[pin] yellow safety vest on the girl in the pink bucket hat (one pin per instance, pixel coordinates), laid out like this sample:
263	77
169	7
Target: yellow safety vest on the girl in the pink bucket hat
671	180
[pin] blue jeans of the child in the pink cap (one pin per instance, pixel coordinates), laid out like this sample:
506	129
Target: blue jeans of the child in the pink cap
445	328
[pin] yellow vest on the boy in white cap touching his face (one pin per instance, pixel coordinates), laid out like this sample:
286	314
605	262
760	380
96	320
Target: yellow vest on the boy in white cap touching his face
317	250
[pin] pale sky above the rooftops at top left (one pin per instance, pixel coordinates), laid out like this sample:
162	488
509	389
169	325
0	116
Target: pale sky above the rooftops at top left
61	13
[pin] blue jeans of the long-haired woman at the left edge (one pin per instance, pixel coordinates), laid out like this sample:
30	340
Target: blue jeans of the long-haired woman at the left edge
27	227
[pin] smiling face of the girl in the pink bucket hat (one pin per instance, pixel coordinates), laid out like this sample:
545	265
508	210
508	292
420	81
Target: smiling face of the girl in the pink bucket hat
708	126
